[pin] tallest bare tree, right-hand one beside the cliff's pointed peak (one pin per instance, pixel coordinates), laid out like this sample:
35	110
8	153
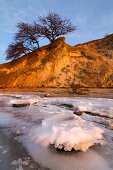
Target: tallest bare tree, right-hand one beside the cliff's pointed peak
53	26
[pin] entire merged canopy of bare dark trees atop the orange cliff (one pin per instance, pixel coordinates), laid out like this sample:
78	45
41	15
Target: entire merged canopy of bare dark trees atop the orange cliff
27	37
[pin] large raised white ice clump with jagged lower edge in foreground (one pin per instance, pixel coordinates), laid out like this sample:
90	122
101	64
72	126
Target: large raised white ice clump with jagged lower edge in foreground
67	131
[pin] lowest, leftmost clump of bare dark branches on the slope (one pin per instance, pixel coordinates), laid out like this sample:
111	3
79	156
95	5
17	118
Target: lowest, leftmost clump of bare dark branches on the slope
15	50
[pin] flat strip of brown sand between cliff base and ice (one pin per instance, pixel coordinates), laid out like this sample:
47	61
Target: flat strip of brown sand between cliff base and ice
63	92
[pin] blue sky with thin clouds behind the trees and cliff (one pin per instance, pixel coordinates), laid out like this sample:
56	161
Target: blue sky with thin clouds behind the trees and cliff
93	18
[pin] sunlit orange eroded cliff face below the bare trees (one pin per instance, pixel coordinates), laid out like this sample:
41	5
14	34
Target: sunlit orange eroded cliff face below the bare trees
61	65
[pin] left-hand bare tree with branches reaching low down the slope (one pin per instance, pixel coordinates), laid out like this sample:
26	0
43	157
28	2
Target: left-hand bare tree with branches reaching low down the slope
25	40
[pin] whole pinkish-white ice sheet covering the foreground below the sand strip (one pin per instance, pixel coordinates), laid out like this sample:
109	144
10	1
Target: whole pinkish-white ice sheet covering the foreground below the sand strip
50	122
